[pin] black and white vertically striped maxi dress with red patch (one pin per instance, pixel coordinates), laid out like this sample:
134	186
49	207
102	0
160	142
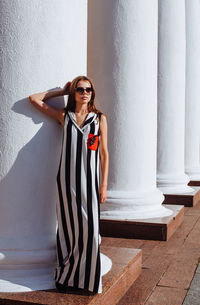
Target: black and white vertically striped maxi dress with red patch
78	206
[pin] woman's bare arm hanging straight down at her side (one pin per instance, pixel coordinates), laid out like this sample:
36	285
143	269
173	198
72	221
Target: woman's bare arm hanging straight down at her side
104	158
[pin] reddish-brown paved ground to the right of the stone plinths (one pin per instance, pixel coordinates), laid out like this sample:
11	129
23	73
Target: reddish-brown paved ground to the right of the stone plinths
168	267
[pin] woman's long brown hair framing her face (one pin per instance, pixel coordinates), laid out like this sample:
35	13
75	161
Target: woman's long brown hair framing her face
71	104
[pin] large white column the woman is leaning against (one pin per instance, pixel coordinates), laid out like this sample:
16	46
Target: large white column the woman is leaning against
44	45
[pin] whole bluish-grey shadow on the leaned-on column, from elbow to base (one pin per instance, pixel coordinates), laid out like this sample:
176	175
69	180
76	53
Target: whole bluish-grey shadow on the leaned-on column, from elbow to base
28	197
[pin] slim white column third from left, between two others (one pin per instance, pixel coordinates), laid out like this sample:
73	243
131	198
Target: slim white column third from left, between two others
171	98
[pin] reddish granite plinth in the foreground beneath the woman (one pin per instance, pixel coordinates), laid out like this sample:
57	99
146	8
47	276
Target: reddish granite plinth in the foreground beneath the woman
126	267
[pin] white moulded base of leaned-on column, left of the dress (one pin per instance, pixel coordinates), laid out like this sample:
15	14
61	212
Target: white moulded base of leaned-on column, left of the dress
26	270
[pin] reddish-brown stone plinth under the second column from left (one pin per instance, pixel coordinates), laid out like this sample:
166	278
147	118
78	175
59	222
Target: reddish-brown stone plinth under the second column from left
151	228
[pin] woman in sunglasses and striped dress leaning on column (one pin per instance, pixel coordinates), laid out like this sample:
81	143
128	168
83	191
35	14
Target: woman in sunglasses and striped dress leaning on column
78	192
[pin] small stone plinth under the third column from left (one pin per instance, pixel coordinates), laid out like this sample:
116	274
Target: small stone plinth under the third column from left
187	199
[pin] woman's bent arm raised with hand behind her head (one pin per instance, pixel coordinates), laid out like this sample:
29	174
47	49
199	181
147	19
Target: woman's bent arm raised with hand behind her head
38	99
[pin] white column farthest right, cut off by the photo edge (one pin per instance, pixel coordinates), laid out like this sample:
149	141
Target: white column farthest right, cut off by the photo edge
192	122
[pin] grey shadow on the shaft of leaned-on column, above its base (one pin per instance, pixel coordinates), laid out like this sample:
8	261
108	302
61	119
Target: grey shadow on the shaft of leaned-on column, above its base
28	191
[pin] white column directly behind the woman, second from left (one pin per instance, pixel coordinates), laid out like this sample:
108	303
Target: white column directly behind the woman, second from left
122	60
